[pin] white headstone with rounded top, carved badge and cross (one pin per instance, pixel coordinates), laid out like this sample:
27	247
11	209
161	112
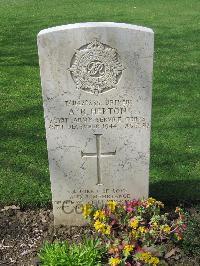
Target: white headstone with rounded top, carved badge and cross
97	83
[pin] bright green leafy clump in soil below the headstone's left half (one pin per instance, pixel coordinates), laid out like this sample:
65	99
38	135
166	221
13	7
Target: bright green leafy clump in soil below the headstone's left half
88	253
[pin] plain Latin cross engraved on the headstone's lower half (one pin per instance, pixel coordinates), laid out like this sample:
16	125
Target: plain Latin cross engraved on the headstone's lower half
98	155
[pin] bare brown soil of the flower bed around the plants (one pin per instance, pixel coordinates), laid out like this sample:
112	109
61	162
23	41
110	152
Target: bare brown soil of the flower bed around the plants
23	232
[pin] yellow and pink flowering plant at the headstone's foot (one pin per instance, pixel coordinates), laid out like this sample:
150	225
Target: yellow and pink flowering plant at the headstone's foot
134	230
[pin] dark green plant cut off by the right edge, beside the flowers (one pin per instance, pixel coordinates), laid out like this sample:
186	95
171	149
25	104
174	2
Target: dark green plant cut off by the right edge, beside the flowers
191	240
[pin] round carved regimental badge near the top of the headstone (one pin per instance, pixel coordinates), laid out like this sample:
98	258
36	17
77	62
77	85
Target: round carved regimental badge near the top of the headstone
96	68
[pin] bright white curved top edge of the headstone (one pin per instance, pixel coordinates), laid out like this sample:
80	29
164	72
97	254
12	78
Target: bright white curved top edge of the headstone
94	25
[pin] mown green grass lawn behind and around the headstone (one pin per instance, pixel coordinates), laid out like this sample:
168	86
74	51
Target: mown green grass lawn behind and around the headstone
175	149
